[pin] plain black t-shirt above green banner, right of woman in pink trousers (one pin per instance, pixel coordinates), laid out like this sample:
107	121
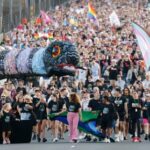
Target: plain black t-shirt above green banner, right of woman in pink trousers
95	105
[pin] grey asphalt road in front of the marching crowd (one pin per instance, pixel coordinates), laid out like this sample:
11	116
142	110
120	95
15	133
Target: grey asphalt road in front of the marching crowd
78	146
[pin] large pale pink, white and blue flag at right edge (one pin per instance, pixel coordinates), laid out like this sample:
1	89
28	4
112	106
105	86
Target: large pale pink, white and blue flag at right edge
143	42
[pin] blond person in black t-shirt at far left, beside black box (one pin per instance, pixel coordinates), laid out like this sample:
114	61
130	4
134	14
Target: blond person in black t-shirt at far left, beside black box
6	119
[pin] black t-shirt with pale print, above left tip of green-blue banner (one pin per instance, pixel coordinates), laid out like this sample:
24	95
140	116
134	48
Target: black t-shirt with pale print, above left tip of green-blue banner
54	106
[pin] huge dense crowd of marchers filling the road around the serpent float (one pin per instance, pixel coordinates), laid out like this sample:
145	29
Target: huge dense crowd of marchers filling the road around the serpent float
113	81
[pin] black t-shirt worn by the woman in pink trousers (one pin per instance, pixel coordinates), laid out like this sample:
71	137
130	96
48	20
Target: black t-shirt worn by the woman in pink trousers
73	107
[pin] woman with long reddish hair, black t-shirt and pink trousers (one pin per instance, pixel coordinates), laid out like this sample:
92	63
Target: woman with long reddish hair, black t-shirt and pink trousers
73	108
